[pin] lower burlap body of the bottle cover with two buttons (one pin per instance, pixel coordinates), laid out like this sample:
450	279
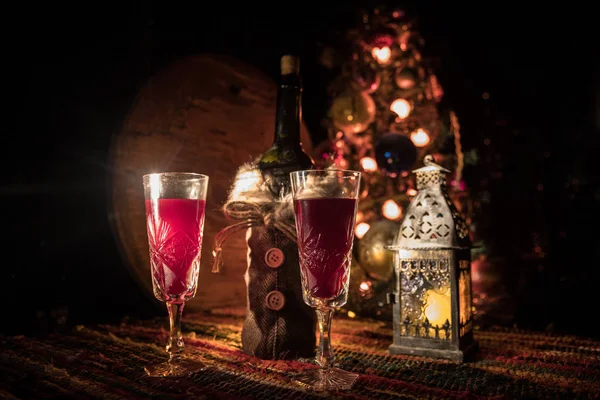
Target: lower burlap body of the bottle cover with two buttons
279	325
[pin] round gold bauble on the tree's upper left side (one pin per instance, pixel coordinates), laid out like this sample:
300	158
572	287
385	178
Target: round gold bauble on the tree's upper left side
353	111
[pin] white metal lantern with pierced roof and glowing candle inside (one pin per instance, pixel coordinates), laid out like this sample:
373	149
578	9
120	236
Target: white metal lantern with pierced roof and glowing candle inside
432	267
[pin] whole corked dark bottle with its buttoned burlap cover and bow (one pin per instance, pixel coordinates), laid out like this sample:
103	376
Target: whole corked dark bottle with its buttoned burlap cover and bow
279	325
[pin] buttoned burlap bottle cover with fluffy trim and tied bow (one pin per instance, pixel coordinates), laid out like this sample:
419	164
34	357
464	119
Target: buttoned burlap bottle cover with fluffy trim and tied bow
278	325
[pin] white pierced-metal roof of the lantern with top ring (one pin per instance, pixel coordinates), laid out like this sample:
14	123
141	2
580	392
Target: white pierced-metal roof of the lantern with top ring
432	220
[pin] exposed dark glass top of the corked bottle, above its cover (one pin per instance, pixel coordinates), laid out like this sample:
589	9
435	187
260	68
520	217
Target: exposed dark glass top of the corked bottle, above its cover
286	154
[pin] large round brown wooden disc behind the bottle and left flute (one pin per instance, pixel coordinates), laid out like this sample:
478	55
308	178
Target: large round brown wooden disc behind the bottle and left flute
207	114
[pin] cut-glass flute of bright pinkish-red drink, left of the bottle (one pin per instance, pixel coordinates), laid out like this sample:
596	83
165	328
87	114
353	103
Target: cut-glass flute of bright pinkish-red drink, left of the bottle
175	204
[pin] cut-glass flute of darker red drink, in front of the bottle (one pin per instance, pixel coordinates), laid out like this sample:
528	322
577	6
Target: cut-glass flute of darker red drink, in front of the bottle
325	204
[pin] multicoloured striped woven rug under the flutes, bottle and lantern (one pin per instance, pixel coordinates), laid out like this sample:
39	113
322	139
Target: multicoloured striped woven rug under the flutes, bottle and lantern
107	362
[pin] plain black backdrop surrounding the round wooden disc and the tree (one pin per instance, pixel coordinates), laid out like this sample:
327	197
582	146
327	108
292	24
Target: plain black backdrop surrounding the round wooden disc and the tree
74	73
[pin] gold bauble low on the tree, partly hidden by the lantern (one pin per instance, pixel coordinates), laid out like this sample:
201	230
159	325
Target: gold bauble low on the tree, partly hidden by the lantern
374	258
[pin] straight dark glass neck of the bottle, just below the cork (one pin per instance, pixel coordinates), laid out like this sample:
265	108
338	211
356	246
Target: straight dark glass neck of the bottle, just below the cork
289	108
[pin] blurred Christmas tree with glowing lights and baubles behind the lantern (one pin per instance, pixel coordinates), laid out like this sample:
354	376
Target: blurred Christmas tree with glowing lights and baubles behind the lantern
384	117
